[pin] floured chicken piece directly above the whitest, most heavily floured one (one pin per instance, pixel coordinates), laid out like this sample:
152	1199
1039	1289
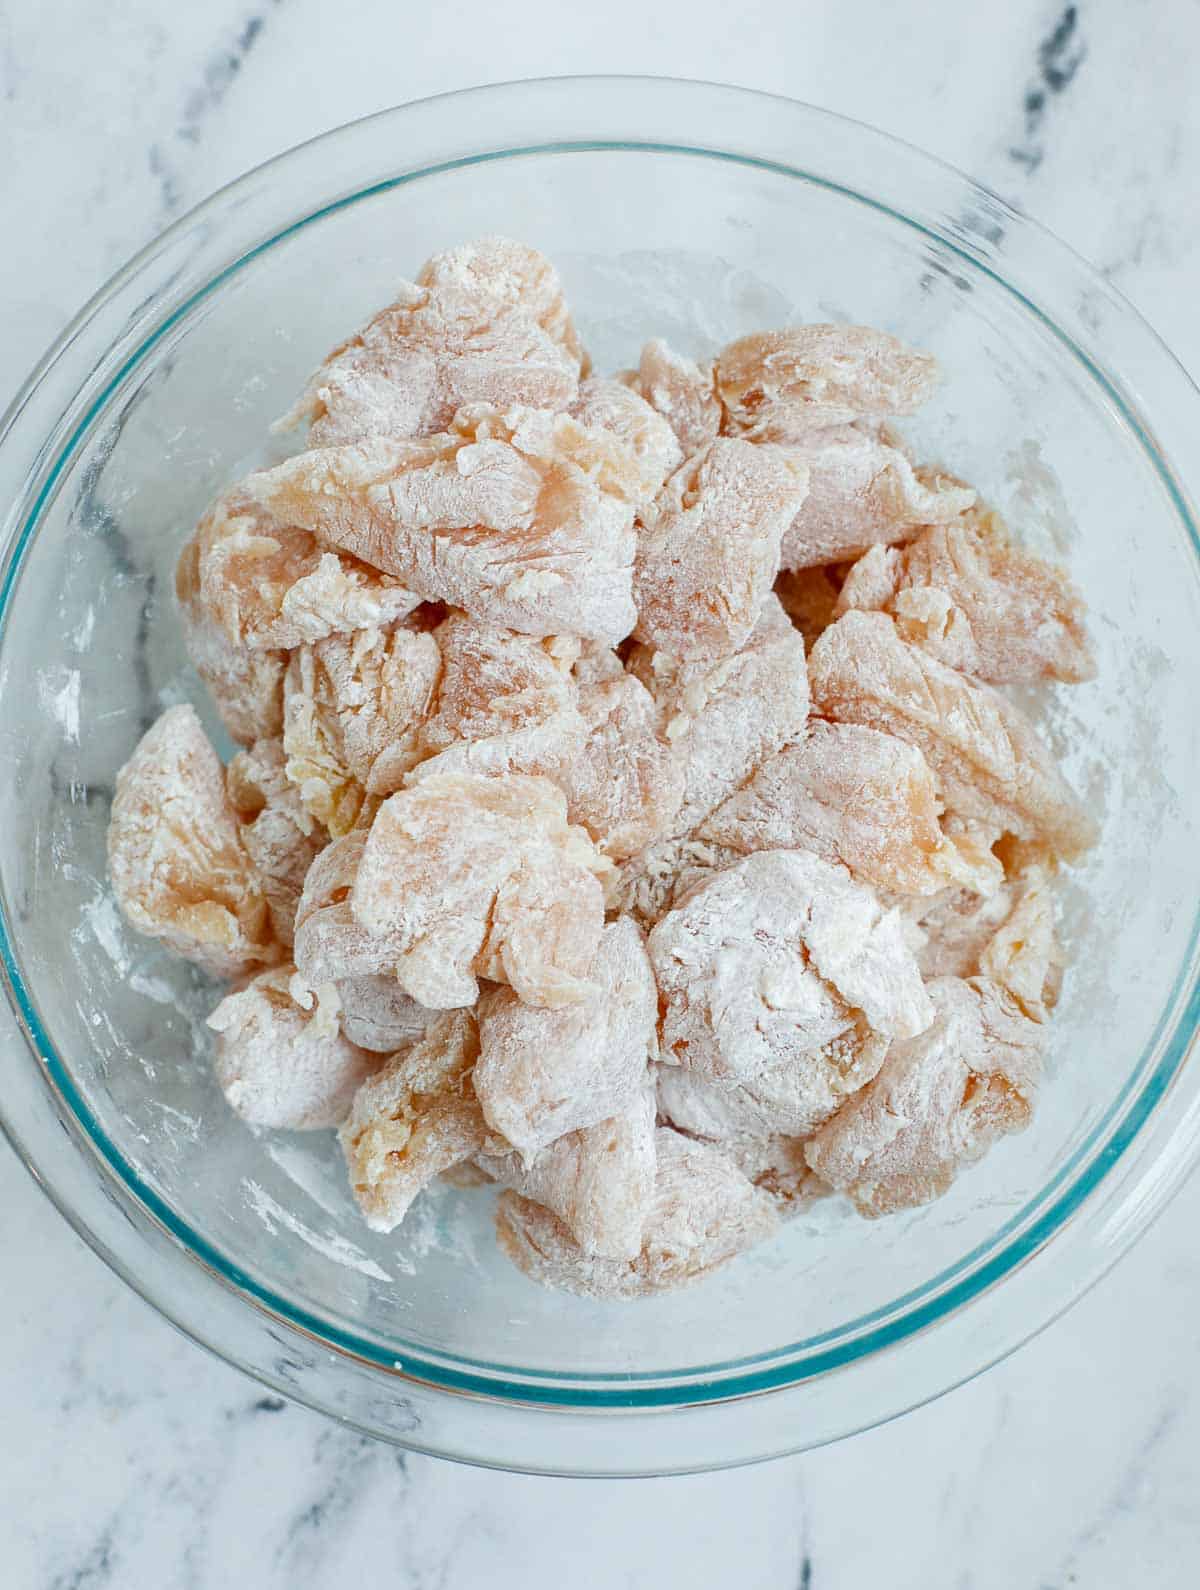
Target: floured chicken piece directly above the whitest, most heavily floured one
853	796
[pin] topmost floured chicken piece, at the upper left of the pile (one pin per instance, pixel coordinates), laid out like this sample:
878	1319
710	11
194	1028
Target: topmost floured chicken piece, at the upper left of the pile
484	324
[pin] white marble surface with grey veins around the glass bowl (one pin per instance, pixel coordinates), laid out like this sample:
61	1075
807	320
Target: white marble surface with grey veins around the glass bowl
133	1460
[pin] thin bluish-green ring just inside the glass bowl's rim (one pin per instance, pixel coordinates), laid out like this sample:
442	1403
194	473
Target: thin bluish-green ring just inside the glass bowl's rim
519	1387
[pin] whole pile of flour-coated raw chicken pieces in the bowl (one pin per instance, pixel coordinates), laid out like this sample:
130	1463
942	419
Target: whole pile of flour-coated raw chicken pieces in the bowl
629	809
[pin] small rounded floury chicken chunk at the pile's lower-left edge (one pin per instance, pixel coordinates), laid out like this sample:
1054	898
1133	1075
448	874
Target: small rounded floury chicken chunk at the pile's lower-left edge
281	1060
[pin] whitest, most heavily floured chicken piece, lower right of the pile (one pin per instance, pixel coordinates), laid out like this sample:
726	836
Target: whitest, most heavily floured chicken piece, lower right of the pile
768	963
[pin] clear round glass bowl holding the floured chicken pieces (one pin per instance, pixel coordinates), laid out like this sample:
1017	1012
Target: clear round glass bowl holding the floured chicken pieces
699	214
